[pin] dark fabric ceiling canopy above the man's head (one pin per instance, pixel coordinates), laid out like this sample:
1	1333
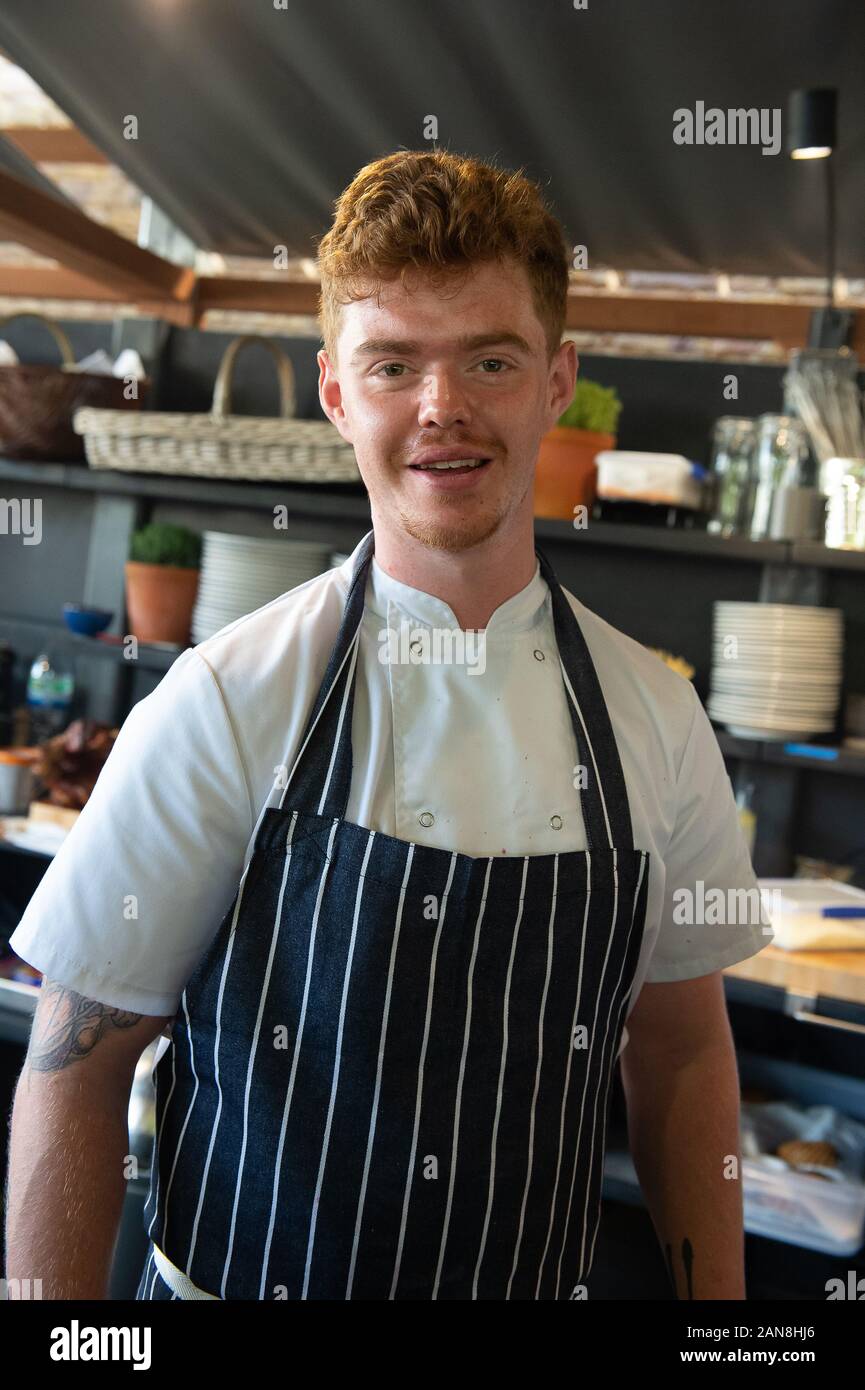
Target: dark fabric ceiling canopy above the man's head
254	119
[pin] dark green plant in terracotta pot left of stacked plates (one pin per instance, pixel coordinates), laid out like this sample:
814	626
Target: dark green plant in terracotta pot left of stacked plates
162	582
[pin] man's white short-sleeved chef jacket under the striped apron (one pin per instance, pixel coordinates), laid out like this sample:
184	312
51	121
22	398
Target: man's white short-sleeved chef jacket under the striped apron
480	764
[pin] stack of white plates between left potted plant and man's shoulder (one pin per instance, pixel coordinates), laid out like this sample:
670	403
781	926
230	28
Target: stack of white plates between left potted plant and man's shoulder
241	573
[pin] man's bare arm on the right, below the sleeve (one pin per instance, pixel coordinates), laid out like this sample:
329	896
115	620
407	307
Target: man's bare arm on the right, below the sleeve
684	1111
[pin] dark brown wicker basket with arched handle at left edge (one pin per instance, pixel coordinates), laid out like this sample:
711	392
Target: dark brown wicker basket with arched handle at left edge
38	404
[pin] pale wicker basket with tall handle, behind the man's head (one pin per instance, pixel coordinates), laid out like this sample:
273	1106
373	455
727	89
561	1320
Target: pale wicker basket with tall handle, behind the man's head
220	445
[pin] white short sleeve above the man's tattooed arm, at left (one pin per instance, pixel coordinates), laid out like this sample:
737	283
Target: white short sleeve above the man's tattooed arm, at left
144	879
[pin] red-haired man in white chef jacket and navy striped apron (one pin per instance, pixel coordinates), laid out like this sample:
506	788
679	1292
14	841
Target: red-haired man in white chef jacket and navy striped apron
400	971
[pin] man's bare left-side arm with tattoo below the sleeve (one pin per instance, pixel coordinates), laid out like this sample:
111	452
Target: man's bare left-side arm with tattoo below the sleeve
69	1140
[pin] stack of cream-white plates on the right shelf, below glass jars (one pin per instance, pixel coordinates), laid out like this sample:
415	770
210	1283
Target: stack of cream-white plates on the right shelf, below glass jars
777	669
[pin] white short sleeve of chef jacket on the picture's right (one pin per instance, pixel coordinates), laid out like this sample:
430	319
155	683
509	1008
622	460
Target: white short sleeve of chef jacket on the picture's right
713	914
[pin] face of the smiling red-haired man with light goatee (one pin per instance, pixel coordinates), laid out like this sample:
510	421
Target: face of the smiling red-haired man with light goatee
461	372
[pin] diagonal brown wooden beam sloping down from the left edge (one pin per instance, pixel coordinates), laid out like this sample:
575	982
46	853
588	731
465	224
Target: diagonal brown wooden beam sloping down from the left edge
52	229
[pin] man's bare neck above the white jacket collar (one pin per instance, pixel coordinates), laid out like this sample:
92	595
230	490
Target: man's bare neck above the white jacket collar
474	583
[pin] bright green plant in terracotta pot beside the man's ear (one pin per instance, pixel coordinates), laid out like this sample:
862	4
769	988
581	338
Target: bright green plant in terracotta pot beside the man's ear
567	473
